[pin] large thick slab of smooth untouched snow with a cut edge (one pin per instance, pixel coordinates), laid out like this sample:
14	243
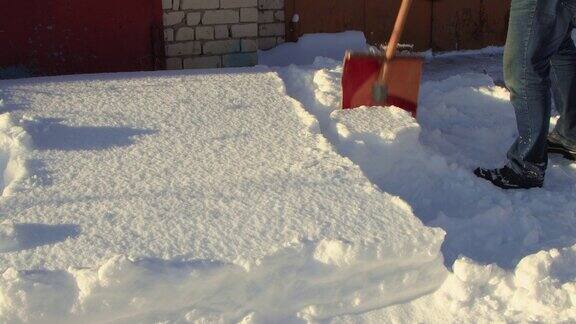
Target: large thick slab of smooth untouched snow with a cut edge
203	195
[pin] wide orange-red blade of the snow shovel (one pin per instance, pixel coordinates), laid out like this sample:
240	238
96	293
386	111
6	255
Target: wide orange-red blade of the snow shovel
360	74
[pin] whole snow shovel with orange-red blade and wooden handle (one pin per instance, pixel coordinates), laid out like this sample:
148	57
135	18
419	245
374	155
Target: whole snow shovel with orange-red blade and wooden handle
383	80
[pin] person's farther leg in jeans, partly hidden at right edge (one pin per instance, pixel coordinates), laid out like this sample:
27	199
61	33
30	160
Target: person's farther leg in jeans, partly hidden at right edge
563	75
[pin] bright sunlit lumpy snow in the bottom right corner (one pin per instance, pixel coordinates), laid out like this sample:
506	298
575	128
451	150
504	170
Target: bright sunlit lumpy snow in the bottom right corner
541	289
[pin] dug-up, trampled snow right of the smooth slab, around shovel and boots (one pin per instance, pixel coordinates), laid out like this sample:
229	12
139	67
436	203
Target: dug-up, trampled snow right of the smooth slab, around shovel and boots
463	121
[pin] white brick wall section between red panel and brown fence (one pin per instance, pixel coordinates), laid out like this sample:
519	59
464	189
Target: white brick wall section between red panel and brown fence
220	33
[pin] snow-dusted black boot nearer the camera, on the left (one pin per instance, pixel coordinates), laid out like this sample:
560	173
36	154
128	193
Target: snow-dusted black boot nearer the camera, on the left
506	178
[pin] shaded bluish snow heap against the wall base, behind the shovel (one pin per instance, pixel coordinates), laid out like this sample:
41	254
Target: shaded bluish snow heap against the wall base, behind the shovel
310	46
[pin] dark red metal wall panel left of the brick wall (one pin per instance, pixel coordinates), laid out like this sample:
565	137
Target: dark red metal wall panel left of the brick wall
67	36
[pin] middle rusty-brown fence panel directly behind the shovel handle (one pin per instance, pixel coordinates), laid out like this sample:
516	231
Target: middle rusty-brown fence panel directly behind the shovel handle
381	15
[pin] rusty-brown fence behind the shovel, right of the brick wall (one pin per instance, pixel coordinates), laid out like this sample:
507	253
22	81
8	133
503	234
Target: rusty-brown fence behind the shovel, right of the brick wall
438	24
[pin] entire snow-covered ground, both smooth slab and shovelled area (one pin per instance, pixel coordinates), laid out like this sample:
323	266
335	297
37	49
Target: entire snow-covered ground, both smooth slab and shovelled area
247	195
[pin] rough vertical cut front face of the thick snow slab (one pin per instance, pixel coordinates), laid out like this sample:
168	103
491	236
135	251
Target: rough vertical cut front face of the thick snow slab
285	286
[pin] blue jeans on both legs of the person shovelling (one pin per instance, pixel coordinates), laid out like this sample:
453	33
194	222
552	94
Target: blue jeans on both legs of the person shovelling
540	62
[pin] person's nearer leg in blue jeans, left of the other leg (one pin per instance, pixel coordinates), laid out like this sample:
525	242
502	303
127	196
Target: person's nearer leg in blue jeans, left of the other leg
537	30
